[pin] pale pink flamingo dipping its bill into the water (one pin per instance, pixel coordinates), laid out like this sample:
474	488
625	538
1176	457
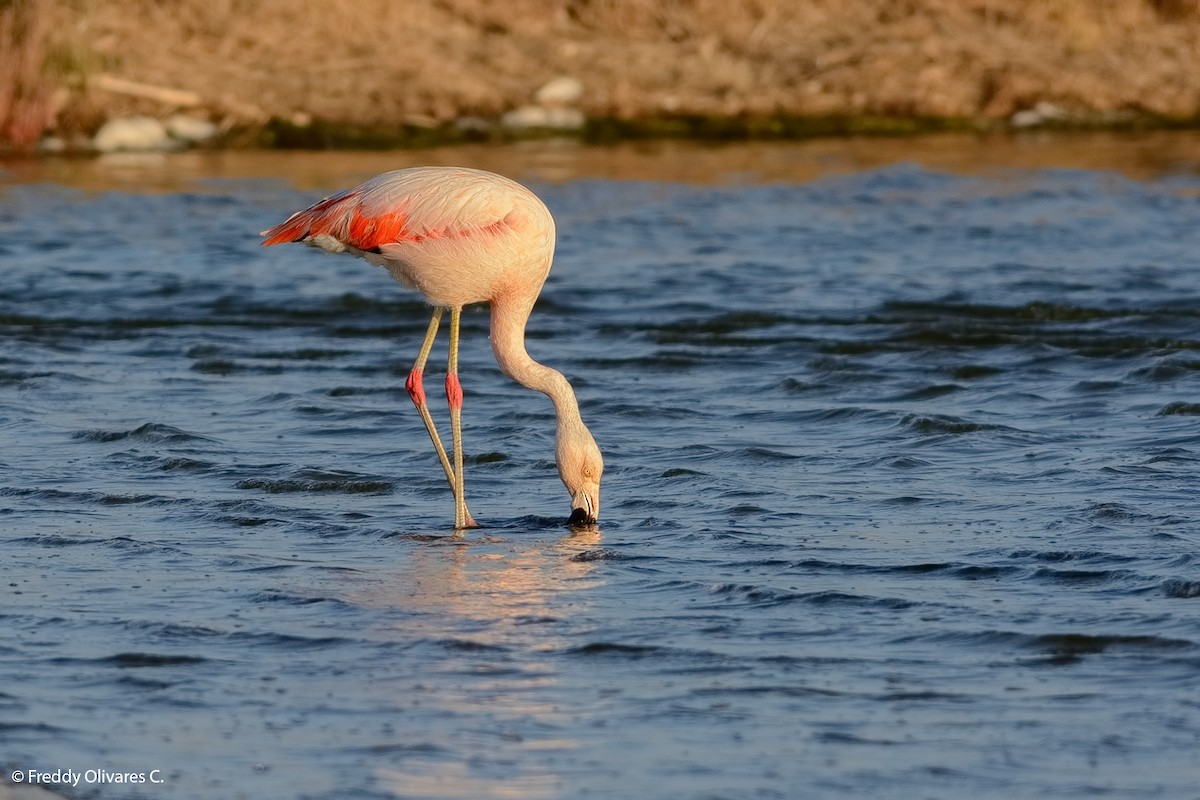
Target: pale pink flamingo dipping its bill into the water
461	237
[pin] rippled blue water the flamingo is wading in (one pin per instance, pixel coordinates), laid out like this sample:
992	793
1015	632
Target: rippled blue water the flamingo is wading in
901	496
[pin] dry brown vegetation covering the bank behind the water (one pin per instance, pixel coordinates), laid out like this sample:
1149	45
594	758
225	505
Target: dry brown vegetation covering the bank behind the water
379	63
